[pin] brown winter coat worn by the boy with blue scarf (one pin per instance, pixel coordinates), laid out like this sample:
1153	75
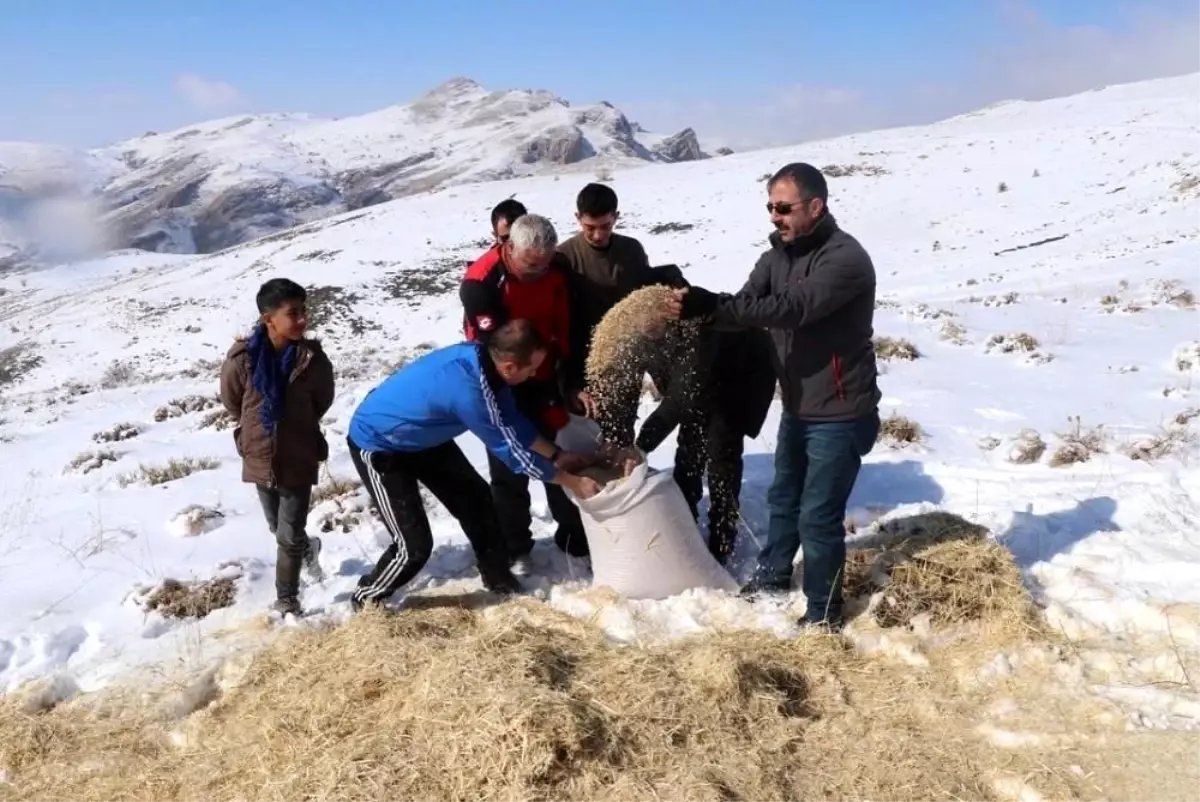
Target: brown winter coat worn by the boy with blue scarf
293	457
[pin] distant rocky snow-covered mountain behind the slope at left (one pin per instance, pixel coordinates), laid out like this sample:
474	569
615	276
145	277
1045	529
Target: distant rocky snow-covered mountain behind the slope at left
218	184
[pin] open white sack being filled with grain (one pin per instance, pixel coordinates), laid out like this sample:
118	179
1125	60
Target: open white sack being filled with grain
644	541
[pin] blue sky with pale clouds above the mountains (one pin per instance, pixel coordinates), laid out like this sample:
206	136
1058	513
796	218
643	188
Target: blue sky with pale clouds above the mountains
87	73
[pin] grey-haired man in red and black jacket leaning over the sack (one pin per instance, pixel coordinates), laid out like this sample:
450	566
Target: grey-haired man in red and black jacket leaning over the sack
525	278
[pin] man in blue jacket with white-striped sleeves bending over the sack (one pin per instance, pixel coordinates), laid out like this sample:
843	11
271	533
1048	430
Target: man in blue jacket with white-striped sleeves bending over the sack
404	434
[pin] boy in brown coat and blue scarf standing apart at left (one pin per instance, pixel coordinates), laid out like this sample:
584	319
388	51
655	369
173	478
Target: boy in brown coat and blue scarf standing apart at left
278	386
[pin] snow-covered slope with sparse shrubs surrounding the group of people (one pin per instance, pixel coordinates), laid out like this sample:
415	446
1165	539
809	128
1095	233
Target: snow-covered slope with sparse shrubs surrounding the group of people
1040	256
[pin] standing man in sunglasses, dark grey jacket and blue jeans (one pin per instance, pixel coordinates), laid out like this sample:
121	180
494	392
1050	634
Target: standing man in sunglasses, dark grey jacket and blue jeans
815	291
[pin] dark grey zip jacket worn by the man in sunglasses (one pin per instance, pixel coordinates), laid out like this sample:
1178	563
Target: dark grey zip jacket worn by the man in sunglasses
817	296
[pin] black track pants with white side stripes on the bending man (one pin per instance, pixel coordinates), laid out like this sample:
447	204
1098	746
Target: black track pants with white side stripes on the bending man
392	478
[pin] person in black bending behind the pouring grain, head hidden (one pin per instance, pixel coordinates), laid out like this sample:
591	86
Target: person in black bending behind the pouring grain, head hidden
718	394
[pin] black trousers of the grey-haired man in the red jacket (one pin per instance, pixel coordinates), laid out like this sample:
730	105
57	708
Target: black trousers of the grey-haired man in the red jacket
511	493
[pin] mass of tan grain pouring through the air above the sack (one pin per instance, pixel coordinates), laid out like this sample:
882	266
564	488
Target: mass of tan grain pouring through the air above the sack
633	337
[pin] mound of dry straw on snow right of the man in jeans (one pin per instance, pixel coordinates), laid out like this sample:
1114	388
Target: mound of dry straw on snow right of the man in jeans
941	566
